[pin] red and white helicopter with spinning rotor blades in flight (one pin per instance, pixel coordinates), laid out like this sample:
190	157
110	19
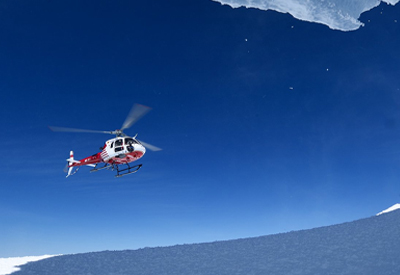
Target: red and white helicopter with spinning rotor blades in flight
117	151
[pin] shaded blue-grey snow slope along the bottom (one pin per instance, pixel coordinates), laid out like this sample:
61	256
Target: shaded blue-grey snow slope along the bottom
365	246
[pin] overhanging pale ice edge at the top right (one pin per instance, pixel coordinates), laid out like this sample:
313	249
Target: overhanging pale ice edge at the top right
336	14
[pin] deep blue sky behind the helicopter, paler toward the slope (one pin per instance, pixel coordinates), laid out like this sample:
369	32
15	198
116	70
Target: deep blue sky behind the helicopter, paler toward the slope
268	124
